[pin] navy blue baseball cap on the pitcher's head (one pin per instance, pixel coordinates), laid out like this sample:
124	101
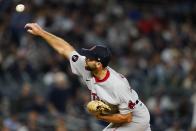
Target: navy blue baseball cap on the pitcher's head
99	53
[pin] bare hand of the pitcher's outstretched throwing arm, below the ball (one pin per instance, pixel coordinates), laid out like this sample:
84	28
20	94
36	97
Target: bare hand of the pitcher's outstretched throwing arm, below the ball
34	29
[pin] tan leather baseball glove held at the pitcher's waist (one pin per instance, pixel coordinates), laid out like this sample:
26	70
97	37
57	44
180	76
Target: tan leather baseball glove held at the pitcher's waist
97	107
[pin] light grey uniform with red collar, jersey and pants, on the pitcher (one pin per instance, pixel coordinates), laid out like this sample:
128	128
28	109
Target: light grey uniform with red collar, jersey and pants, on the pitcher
113	89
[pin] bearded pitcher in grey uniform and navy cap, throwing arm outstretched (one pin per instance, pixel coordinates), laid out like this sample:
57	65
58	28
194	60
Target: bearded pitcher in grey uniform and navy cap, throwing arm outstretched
113	100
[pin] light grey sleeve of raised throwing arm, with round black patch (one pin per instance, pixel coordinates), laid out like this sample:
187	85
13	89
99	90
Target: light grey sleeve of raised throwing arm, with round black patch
77	63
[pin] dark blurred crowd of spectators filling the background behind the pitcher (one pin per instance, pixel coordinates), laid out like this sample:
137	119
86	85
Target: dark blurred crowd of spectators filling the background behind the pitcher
153	45
